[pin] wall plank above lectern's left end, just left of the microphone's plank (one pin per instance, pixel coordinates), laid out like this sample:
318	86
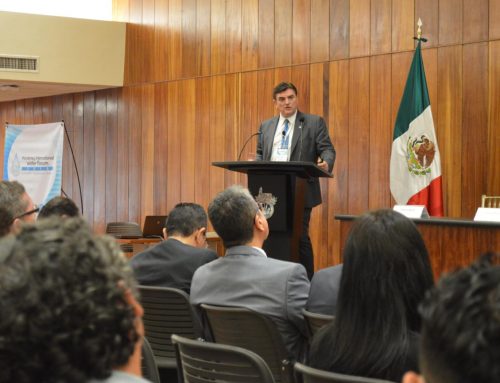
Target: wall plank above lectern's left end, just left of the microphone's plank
232	124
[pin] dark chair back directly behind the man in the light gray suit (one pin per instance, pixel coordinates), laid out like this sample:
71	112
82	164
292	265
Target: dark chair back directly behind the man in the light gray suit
248	329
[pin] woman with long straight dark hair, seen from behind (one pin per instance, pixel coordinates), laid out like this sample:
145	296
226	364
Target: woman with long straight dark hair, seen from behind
385	274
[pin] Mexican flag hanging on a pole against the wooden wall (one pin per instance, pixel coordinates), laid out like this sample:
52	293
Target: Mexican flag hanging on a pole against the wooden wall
415	162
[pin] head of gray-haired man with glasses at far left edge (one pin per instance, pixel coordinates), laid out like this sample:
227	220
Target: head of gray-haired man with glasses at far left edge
17	203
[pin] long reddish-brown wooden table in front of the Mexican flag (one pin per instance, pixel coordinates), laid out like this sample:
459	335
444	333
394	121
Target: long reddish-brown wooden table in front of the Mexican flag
451	242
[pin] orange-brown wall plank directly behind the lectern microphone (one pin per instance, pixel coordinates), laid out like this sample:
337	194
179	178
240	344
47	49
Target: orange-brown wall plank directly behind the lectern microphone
249	123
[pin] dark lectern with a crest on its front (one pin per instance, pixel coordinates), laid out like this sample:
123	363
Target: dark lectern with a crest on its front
279	188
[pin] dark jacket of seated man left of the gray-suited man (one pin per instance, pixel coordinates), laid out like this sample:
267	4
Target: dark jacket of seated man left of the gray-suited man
171	263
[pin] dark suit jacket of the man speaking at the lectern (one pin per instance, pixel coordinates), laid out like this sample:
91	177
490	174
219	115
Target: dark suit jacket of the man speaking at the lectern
315	143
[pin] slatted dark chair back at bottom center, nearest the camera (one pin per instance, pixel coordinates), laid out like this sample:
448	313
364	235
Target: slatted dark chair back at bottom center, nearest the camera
202	362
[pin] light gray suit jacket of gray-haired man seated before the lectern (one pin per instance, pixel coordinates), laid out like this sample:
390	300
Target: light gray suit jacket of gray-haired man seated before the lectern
246	278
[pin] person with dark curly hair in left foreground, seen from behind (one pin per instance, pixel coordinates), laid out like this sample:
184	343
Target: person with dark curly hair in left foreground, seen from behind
68	307
